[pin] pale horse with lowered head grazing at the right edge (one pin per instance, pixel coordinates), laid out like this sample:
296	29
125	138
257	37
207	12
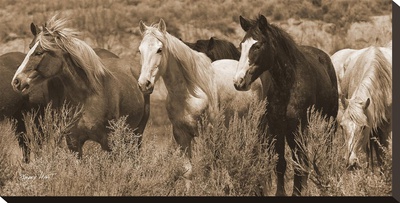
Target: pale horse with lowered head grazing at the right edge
366	95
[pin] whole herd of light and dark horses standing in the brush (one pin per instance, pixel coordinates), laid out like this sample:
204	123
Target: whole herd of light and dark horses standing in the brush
352	86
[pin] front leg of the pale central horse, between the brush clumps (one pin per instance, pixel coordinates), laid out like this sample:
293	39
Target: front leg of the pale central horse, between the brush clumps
184	139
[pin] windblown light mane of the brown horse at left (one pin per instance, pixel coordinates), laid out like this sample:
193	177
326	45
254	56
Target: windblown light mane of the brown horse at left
55	35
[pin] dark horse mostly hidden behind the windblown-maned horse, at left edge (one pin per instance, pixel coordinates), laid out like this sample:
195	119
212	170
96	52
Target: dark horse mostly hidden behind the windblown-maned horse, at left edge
14	105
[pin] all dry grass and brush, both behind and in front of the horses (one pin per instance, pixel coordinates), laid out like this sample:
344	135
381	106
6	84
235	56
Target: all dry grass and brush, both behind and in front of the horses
227	161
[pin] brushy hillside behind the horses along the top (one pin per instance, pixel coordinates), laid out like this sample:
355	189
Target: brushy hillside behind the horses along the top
112	24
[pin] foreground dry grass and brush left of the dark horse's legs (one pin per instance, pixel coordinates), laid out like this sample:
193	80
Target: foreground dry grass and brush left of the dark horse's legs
227	161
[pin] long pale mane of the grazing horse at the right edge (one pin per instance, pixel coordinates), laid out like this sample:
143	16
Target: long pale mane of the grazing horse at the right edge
376	84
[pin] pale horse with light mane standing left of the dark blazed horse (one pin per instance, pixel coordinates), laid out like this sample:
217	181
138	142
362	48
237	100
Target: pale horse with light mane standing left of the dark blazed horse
190	79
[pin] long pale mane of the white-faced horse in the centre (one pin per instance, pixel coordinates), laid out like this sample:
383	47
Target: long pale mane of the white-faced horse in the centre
196	66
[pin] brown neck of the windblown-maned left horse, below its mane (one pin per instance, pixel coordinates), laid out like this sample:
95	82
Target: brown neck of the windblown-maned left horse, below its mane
75	81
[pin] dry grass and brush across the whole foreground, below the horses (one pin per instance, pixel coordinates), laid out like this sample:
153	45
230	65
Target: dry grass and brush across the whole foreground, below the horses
228	161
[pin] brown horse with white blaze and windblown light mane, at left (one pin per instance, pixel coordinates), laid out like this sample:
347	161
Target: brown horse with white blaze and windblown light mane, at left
101	86
